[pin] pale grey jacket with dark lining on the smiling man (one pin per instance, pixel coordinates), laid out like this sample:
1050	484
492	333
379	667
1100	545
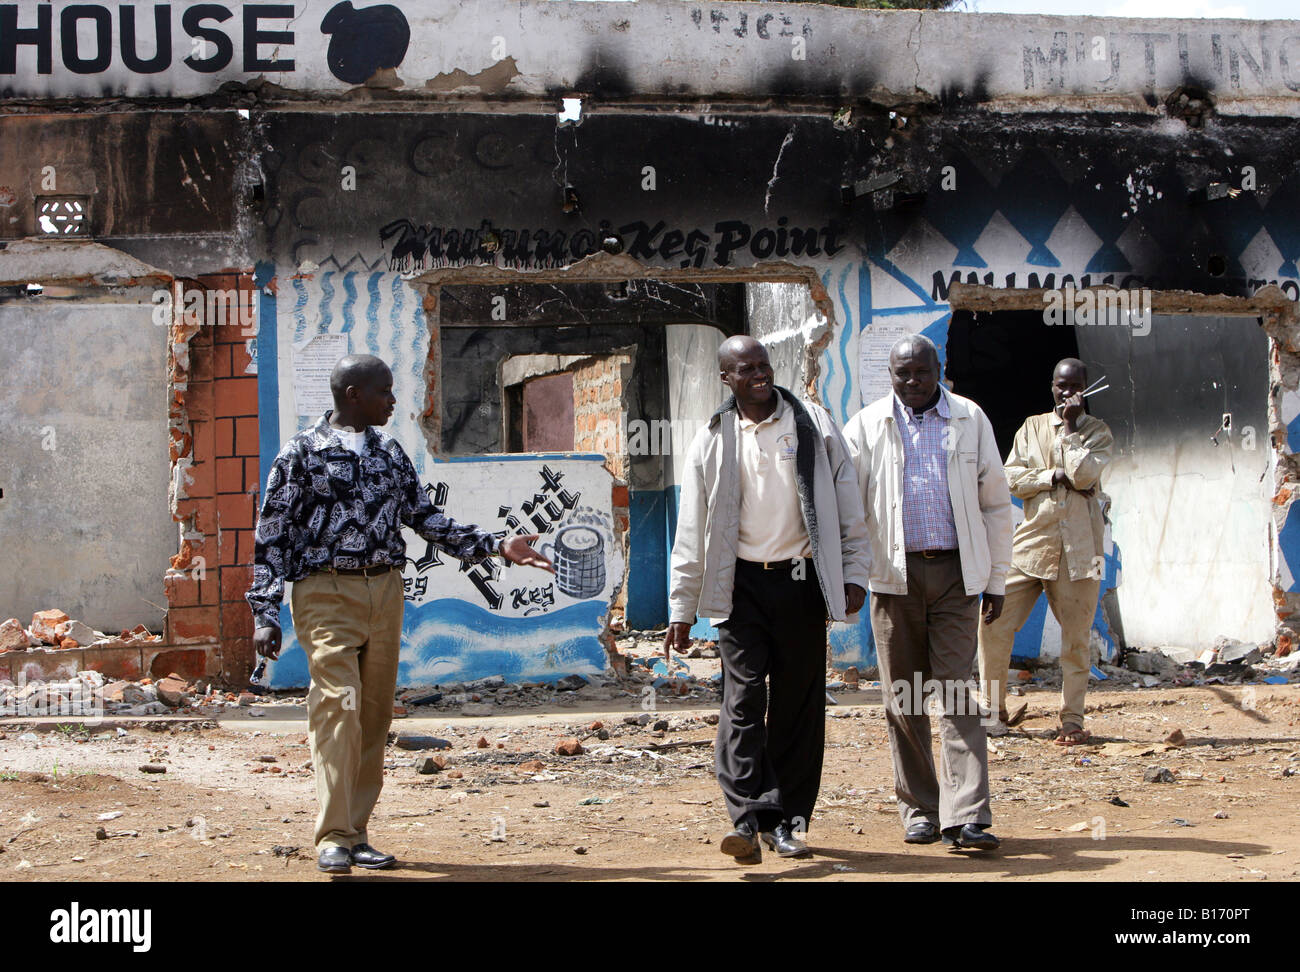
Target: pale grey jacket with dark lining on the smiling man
704	550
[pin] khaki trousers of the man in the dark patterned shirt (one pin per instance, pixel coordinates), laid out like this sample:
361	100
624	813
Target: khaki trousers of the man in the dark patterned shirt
350	627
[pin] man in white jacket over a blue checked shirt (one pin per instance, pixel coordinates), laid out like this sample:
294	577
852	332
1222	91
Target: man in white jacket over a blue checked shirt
939	517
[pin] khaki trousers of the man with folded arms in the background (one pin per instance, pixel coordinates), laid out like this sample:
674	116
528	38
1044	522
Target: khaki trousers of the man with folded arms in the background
1074	604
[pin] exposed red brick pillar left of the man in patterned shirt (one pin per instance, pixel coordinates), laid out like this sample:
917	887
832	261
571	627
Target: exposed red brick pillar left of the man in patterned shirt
215	493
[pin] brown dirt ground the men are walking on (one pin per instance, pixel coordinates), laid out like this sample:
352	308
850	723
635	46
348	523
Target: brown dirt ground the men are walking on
627	812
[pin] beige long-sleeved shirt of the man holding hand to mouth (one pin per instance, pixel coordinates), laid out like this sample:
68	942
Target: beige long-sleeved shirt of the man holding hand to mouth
1056	518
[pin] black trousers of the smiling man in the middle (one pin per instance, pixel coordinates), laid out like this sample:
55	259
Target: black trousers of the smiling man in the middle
770	743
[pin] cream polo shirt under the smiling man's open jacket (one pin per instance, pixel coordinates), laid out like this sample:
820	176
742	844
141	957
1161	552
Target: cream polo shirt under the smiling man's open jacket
772	522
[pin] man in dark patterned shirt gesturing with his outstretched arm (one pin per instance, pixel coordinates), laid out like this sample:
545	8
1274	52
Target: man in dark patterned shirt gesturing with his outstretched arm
337	498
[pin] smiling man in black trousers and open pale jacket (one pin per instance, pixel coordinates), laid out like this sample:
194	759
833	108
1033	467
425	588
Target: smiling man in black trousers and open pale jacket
770	544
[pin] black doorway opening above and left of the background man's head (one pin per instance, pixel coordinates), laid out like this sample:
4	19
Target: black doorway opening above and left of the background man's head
1004	362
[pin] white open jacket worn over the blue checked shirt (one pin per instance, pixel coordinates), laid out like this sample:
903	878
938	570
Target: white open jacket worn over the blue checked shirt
977	485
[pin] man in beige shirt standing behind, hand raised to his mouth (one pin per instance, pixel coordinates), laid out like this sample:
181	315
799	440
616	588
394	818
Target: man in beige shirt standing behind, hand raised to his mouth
1056	468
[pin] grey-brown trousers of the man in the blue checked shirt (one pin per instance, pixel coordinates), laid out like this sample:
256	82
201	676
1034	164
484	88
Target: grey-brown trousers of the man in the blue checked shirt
926	645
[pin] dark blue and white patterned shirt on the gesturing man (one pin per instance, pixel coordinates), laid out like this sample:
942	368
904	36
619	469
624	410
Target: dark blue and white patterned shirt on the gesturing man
326	506
